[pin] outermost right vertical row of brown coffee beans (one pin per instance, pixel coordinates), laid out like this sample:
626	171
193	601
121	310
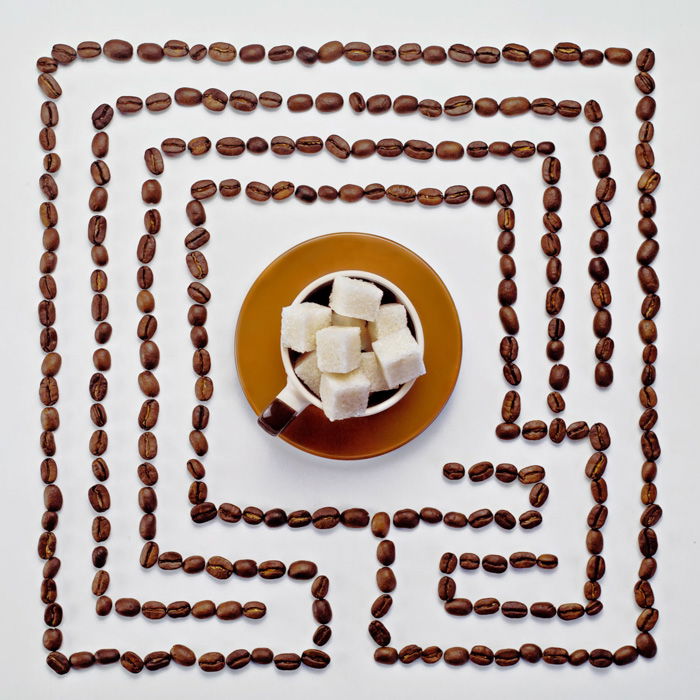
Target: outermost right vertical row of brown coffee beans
647	540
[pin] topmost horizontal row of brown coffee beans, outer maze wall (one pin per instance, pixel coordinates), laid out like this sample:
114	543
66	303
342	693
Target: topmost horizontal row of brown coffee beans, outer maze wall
354	51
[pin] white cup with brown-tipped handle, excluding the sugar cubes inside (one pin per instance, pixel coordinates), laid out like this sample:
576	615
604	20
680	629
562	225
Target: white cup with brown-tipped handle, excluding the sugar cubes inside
295	396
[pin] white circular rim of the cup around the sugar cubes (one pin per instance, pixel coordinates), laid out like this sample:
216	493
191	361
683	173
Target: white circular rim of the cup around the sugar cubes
401	297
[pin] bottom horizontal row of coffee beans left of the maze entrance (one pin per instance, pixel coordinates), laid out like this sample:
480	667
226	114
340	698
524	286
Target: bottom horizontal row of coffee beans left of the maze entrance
183	656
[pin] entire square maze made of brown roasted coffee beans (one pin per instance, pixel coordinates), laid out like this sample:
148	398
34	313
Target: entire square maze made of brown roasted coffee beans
380	523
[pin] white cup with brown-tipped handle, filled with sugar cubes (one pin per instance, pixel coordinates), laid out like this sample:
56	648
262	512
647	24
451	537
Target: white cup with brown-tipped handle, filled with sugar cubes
351	344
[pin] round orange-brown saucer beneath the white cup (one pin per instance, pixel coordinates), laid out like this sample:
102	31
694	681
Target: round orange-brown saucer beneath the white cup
257	343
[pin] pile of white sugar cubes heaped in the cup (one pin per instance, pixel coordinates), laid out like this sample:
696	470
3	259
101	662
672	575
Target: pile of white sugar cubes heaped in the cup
351	348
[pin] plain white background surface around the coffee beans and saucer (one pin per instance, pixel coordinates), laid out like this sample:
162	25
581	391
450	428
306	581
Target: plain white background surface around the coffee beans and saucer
245	466
